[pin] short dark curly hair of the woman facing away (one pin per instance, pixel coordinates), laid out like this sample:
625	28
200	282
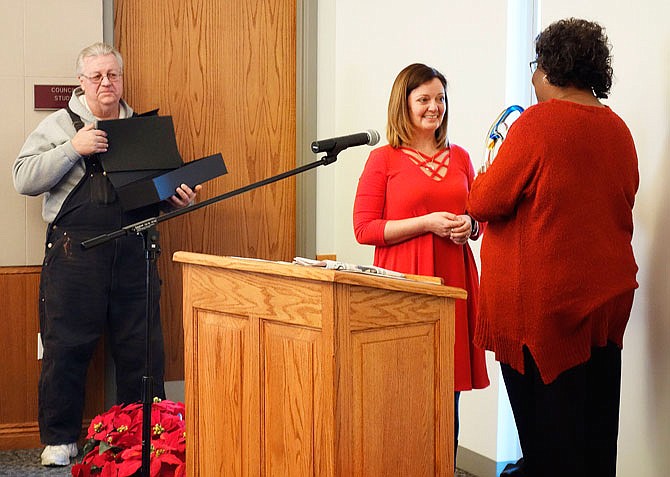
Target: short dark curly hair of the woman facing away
575	52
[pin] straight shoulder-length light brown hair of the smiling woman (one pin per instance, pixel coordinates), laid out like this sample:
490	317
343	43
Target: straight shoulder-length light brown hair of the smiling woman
399	124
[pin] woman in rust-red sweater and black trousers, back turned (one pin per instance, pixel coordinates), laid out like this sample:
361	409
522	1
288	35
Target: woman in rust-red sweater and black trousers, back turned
558	271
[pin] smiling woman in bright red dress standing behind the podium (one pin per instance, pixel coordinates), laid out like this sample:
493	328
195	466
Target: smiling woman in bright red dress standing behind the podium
410	204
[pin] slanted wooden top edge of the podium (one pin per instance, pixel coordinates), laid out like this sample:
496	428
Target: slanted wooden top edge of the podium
289	270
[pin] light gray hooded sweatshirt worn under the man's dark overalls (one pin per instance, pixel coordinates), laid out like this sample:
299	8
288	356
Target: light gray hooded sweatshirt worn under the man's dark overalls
47	163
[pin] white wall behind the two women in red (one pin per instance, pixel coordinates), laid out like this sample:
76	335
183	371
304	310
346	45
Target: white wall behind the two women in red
363	45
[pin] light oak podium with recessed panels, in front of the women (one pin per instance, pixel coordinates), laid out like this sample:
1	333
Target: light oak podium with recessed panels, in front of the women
298	371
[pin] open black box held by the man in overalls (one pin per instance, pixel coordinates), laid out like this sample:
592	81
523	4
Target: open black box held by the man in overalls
143	162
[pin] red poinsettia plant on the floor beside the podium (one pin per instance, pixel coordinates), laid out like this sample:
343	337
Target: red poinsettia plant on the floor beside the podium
114	442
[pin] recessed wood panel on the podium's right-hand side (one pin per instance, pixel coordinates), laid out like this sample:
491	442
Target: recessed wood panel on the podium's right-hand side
395	384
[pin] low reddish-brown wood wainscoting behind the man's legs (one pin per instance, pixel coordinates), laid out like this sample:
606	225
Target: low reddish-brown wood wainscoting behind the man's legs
19	373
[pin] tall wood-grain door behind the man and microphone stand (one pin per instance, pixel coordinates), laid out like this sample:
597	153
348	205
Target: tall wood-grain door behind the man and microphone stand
225	71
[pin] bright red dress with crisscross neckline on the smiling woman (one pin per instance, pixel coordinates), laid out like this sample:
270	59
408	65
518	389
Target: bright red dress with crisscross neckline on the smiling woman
392	187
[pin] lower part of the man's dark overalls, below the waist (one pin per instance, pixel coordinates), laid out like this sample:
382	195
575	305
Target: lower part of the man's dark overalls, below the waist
83	294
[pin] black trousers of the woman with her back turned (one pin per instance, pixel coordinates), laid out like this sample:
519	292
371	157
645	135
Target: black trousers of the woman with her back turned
568	427
